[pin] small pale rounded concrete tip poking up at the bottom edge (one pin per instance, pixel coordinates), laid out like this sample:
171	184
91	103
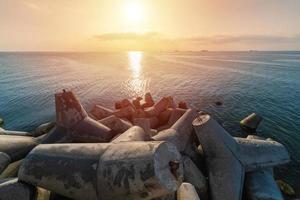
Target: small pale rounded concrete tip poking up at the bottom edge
187	192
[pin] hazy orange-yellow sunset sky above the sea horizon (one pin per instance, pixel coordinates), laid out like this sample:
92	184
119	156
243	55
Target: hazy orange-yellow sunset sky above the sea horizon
149	25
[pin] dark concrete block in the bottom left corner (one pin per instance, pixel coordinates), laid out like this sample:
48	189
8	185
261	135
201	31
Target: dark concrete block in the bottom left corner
15	190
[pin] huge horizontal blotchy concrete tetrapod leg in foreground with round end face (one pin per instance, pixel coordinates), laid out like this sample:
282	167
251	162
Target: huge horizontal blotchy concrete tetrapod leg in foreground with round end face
126	170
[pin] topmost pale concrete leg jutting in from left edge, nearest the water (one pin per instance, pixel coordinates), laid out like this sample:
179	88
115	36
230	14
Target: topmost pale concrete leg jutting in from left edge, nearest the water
16	147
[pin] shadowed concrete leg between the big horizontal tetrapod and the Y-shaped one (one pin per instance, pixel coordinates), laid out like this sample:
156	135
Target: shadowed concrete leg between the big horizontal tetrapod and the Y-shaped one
194	176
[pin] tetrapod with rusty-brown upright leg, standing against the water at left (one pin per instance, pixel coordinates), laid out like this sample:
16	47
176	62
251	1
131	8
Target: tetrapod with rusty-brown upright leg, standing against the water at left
71	115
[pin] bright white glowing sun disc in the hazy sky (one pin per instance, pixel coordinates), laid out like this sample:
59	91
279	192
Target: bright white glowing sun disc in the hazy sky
133	12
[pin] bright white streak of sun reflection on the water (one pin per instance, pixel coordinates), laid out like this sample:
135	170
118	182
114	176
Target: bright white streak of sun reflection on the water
137	81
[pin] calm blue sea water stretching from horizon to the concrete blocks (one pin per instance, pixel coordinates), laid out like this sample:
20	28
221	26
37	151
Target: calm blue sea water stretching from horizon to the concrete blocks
264	82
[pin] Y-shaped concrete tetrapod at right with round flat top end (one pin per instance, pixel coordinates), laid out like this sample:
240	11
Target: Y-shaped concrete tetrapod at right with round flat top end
227	159
